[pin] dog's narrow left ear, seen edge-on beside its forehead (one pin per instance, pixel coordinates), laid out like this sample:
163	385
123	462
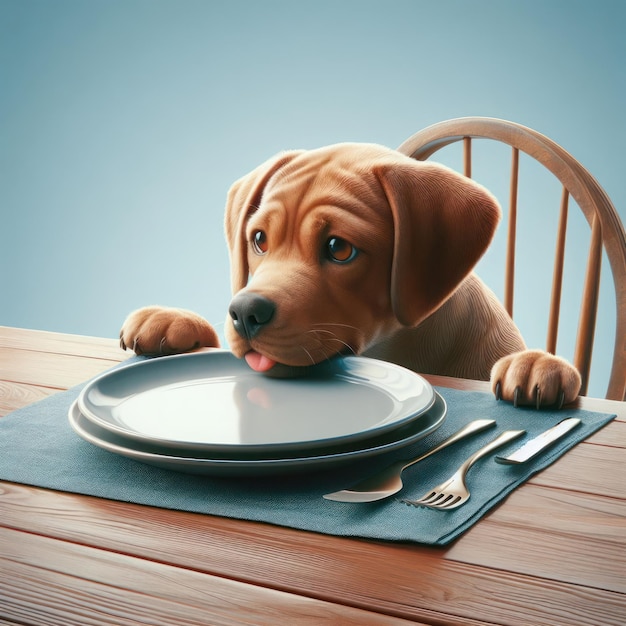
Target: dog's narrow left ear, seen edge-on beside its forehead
242	201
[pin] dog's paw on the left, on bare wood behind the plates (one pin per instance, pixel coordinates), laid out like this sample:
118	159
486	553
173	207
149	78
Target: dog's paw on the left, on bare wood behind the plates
159	331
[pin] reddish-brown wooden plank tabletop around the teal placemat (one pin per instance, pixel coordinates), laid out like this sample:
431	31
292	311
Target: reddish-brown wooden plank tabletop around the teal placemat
553	553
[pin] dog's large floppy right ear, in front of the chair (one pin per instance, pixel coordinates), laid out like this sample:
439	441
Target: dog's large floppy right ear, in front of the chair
443	223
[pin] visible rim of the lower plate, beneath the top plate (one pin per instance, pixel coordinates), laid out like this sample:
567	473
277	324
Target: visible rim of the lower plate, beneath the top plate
153	455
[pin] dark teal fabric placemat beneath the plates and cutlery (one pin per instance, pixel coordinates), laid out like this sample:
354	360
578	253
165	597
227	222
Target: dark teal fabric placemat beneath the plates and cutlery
38	447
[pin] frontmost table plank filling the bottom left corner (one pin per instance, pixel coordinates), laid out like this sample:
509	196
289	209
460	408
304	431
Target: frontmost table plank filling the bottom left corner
46	581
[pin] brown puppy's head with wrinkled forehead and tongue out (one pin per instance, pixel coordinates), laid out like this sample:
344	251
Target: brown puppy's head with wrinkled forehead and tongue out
332	248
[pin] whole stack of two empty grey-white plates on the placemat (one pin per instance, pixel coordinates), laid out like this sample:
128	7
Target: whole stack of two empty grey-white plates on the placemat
209	413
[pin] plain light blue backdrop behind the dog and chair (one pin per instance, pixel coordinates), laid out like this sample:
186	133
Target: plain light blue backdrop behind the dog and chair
123	123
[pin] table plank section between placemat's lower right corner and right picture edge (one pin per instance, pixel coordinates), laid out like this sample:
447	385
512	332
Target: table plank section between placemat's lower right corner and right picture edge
582	539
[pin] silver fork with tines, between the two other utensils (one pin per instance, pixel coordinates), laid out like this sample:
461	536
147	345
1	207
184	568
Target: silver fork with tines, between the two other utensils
453	492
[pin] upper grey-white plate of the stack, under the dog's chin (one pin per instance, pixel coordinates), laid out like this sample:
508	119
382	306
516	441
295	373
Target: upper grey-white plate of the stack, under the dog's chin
214	403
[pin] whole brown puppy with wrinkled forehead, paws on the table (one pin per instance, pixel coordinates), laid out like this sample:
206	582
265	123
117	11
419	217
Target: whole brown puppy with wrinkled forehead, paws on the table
358	249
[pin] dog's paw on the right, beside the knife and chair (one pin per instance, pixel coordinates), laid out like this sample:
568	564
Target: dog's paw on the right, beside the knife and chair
535	377
